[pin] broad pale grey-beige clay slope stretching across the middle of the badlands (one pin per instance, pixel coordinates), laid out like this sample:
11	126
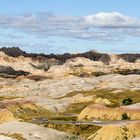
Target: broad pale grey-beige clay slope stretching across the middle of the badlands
44	92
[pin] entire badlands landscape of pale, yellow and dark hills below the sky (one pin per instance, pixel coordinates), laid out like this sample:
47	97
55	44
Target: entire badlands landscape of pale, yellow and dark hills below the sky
89	96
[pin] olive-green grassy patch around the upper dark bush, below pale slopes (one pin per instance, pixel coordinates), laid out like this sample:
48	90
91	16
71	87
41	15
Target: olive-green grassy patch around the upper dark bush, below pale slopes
115	98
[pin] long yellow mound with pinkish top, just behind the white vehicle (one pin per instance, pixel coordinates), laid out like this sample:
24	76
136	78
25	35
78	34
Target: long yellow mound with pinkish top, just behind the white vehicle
102	112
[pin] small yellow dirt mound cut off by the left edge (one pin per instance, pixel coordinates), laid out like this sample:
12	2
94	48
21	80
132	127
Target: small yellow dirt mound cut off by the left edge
6	116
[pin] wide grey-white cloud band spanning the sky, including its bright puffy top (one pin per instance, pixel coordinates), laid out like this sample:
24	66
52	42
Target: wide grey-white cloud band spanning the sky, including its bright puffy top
101	26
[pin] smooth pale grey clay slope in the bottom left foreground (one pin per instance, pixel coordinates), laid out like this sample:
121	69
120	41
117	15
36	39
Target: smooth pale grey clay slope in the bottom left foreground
34	132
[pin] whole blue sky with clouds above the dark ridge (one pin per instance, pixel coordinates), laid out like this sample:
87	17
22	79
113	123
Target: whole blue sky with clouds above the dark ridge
71	26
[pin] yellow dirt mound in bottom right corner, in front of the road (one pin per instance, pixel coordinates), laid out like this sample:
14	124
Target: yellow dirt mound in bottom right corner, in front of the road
117	132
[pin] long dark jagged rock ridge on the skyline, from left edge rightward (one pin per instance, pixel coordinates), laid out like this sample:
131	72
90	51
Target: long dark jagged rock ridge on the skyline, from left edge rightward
92	55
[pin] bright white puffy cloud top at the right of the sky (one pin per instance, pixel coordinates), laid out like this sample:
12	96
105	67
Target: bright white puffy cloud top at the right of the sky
112	20
